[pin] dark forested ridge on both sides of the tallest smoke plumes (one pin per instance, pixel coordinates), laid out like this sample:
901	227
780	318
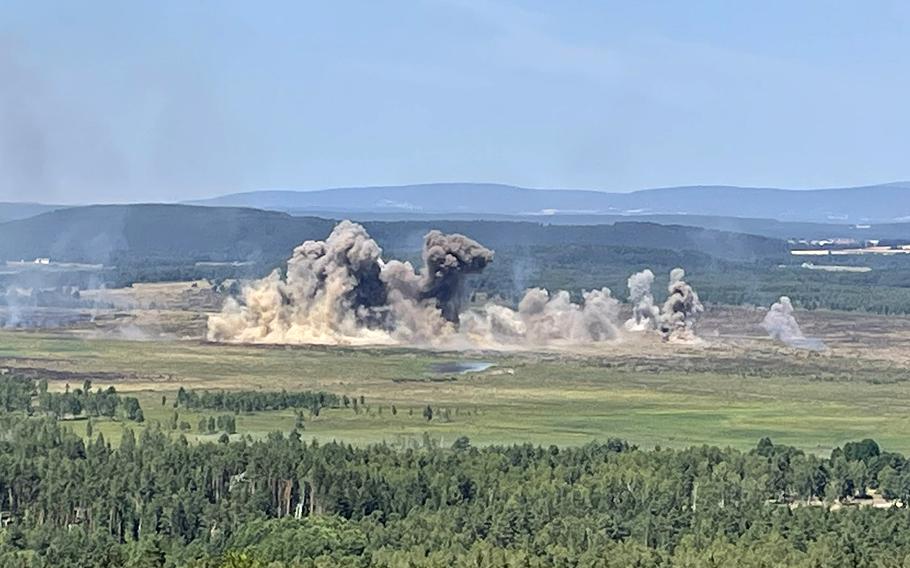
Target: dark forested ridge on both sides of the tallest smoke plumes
130	234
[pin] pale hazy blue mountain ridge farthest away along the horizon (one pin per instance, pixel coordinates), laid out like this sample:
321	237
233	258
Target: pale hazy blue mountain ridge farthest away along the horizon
883	203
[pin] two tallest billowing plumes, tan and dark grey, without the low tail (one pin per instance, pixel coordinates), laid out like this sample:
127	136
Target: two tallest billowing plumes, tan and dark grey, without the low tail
341	291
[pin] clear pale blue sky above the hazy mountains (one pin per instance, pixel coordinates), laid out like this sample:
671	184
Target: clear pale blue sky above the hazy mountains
171	100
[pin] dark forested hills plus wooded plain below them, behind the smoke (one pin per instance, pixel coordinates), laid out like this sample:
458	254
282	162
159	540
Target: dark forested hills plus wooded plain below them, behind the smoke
149	243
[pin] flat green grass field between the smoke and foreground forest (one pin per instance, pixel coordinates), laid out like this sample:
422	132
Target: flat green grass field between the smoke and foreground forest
565	399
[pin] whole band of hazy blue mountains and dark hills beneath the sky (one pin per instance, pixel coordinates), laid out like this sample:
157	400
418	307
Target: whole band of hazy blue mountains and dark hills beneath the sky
718	221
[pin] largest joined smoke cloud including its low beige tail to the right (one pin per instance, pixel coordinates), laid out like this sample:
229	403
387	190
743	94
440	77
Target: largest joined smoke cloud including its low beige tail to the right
341	291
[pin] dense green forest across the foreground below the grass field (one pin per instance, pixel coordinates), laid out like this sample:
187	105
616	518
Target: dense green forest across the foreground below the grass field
157	500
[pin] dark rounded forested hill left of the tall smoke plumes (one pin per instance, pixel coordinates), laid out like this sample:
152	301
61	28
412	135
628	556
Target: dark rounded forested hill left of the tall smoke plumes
149	233
